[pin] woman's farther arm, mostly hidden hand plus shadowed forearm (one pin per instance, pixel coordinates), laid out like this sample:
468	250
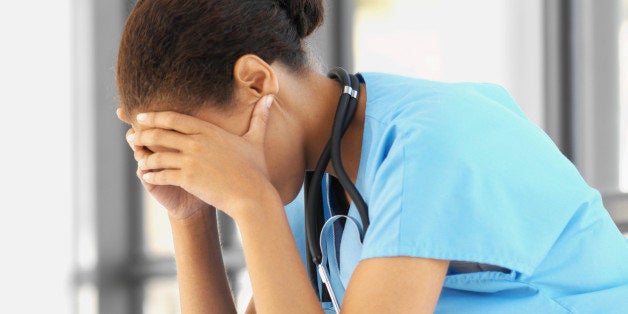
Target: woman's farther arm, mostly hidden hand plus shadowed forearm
202	281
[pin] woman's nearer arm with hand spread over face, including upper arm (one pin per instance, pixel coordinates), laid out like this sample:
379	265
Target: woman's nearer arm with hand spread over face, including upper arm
209	163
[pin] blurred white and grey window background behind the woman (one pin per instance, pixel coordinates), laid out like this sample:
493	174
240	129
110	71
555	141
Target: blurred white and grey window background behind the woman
77	233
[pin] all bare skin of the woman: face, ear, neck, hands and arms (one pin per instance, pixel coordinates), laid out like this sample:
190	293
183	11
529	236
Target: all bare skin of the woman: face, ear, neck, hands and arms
249	162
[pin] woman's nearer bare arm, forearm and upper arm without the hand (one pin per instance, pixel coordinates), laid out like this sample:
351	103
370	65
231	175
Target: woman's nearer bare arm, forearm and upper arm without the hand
379	285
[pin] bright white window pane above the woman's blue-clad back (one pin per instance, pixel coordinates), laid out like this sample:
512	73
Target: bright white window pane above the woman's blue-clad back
501	41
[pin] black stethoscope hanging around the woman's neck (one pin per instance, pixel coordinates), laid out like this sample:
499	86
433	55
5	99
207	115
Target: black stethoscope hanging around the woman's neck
314	214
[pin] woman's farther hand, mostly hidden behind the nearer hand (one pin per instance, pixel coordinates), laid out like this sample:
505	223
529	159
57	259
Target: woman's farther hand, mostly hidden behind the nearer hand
179	203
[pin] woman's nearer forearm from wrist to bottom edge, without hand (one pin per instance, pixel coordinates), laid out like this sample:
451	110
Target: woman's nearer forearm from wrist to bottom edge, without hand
278	278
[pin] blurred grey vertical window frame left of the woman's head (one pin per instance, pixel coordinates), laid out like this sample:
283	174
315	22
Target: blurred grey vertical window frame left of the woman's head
105	194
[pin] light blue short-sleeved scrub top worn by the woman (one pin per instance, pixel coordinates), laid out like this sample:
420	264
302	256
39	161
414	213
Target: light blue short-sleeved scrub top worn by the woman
455	171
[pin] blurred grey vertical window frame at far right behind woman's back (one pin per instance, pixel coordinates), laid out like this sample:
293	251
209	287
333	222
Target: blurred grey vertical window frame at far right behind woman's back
594	99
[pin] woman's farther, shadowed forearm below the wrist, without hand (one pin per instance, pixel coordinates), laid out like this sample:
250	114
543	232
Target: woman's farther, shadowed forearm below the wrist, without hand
203	284
